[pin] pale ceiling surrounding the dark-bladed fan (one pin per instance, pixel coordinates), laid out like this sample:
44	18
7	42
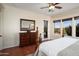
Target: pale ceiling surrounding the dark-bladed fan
35	7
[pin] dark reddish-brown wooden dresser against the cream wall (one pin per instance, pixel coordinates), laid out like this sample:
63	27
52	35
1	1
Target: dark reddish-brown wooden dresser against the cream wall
28	38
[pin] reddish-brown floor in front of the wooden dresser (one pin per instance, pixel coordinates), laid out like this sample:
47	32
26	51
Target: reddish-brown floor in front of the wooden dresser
18	51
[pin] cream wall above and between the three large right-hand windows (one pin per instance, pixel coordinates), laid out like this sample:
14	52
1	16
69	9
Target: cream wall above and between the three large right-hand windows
63	15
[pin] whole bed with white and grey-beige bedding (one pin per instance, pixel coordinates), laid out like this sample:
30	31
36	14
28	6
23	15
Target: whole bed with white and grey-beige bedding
66	46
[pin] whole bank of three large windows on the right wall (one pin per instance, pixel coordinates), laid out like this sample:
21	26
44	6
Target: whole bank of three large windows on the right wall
65	26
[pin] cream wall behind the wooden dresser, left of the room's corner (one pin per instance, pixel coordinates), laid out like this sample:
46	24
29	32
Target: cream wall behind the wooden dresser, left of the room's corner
11	27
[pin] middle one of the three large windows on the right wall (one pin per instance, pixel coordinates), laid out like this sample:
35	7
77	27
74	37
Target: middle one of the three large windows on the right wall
67	27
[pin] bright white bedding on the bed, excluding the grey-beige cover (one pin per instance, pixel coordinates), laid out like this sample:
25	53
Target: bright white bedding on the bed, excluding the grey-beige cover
52	48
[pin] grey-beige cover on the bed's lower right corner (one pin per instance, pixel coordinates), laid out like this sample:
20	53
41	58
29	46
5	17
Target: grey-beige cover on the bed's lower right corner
72	50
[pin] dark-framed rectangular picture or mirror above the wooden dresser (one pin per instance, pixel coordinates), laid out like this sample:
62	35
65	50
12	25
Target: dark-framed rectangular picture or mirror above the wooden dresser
26	24
